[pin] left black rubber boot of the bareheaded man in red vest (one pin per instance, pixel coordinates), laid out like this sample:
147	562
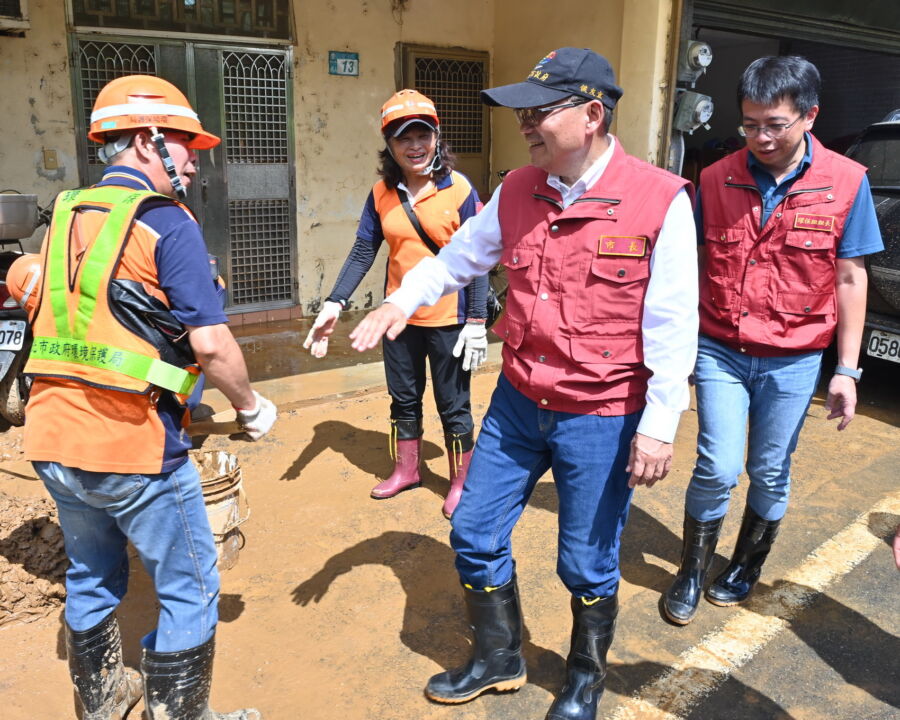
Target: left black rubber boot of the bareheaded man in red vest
697	550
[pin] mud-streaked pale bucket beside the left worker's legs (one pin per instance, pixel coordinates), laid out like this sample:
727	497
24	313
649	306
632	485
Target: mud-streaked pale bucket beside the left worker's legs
226	502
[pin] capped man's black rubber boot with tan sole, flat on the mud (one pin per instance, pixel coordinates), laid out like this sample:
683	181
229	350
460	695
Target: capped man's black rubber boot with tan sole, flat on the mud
496	662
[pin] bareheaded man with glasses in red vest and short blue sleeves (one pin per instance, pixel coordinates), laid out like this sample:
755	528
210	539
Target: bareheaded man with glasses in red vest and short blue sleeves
784	226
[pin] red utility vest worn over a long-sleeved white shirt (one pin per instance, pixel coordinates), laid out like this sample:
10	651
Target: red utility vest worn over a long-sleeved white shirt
577	281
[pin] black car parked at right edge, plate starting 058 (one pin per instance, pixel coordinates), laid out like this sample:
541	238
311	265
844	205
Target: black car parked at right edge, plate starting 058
878	148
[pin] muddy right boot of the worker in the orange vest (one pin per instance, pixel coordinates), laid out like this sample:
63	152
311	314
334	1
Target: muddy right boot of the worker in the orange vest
176	685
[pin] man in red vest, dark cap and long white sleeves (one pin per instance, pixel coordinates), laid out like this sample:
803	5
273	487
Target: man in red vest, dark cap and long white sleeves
599	339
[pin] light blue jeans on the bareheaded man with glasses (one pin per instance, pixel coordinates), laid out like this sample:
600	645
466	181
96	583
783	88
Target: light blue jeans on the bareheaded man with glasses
773	393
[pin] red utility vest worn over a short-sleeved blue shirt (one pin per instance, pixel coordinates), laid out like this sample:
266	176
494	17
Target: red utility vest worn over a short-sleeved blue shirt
771	290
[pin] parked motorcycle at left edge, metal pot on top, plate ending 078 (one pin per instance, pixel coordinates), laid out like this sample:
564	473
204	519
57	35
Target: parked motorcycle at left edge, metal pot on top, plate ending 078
20	216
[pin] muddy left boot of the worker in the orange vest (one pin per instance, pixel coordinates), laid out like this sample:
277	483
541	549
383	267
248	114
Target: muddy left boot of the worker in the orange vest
104	688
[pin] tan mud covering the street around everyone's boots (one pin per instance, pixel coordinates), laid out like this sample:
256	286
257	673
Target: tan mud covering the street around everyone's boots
341	607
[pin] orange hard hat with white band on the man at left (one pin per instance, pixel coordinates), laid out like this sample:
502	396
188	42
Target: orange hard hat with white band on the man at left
143	101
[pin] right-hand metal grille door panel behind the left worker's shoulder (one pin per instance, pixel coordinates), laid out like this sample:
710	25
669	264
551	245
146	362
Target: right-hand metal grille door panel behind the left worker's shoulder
250	202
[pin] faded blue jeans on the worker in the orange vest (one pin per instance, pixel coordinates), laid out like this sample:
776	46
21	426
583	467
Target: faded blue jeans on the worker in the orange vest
165	519
